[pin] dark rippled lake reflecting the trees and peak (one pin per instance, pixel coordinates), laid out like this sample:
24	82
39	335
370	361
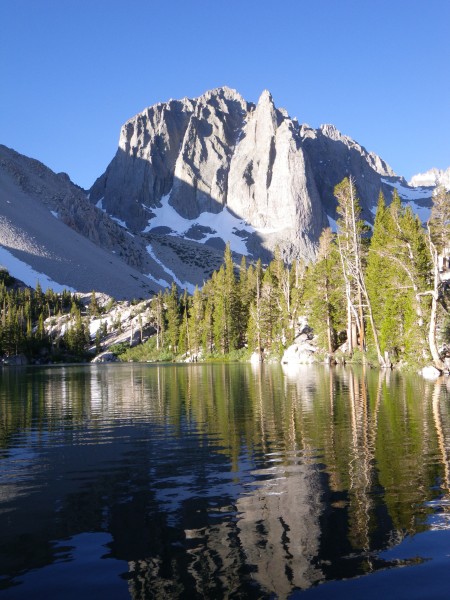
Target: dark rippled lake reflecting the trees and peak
223	481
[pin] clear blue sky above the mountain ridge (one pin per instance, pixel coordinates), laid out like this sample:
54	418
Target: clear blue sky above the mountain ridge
73	71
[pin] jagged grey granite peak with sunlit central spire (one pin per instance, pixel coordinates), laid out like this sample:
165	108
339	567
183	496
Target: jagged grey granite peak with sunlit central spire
217	157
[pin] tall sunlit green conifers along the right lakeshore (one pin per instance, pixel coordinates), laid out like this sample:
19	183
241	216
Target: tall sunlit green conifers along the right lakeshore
372	292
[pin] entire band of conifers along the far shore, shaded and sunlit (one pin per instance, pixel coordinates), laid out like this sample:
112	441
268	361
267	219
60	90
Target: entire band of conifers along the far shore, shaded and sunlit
373	294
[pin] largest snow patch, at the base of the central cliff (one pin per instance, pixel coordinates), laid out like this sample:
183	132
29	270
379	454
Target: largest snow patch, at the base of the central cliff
224	224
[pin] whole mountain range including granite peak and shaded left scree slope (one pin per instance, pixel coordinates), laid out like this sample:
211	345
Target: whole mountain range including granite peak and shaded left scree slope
189	176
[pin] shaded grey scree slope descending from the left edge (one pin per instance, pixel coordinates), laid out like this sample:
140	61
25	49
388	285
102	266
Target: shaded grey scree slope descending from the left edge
49	230
